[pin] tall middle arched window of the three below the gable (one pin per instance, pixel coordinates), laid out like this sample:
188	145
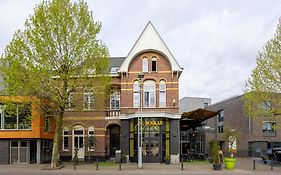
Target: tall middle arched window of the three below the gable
149	96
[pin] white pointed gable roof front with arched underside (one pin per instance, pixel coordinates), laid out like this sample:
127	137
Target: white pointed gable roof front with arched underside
149	40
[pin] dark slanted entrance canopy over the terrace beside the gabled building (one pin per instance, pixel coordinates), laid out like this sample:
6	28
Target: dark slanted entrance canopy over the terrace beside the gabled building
195	118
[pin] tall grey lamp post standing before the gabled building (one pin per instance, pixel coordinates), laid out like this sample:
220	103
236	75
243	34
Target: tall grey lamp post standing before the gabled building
140	76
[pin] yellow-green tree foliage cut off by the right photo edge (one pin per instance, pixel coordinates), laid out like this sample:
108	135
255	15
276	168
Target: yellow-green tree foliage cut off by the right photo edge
262	91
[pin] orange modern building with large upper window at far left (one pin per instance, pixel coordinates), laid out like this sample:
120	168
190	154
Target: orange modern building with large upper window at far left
26	133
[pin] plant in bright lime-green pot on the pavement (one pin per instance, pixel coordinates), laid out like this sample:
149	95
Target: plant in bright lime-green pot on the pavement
231	137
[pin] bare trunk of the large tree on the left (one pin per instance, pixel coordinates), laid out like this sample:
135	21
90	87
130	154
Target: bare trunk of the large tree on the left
56	142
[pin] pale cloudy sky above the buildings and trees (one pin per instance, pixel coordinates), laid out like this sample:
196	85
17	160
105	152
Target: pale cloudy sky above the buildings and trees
215	41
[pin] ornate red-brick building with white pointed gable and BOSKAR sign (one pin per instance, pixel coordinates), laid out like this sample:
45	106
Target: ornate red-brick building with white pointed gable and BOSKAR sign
116	127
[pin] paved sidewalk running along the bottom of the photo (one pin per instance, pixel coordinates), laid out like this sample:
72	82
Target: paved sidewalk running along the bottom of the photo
244	167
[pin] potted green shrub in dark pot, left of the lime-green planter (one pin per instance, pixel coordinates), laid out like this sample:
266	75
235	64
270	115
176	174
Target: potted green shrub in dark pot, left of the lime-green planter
214	152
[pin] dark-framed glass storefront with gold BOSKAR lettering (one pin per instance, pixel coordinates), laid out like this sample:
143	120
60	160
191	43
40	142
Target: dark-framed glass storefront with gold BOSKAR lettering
155	139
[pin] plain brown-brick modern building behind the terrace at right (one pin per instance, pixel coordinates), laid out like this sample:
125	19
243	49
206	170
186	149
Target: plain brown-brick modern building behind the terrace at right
254	132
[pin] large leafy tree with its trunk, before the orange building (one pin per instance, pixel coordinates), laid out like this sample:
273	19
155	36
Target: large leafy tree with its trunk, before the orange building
58	50
